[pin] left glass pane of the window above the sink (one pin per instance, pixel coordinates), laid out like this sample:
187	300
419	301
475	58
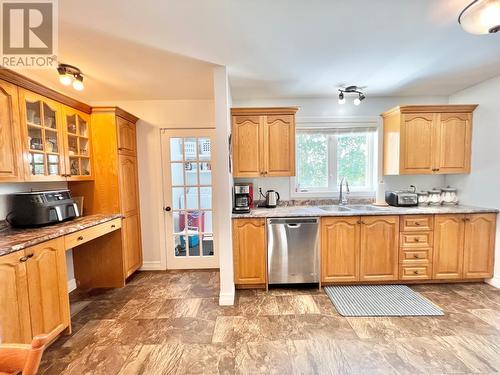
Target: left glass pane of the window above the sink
312	160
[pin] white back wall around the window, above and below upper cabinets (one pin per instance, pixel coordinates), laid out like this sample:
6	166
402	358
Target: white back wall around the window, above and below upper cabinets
329	108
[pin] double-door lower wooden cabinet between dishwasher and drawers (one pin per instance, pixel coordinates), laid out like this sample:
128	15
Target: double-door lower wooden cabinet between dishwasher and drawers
359	249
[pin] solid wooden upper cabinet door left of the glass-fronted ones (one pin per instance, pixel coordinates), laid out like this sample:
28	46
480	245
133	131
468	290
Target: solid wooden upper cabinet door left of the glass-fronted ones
11	160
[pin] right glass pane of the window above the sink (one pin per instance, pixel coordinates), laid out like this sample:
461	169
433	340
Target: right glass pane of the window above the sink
352	159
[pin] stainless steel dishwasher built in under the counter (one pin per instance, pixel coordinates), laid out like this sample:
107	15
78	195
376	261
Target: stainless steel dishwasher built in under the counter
293	250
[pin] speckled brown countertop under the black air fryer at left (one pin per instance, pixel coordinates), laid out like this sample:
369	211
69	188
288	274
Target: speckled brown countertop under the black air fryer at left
14	239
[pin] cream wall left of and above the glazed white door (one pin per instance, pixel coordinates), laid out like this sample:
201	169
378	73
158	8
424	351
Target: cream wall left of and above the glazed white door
155	115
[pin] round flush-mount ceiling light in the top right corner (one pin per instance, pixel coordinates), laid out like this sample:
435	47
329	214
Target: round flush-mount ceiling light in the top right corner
481	17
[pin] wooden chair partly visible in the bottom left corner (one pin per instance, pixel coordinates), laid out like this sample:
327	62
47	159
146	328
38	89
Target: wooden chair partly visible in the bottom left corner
24	358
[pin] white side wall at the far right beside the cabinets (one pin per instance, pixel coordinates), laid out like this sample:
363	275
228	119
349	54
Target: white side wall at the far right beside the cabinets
481	187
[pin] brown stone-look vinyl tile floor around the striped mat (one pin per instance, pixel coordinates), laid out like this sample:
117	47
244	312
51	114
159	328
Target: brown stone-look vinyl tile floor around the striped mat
171	323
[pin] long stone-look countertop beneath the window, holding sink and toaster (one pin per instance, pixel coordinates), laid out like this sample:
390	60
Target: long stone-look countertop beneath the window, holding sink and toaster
309	211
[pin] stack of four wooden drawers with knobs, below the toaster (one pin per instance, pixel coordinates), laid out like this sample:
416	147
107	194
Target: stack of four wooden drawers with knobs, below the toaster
415	247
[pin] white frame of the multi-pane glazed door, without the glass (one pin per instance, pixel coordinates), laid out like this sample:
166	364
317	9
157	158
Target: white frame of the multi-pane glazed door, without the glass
188	262
